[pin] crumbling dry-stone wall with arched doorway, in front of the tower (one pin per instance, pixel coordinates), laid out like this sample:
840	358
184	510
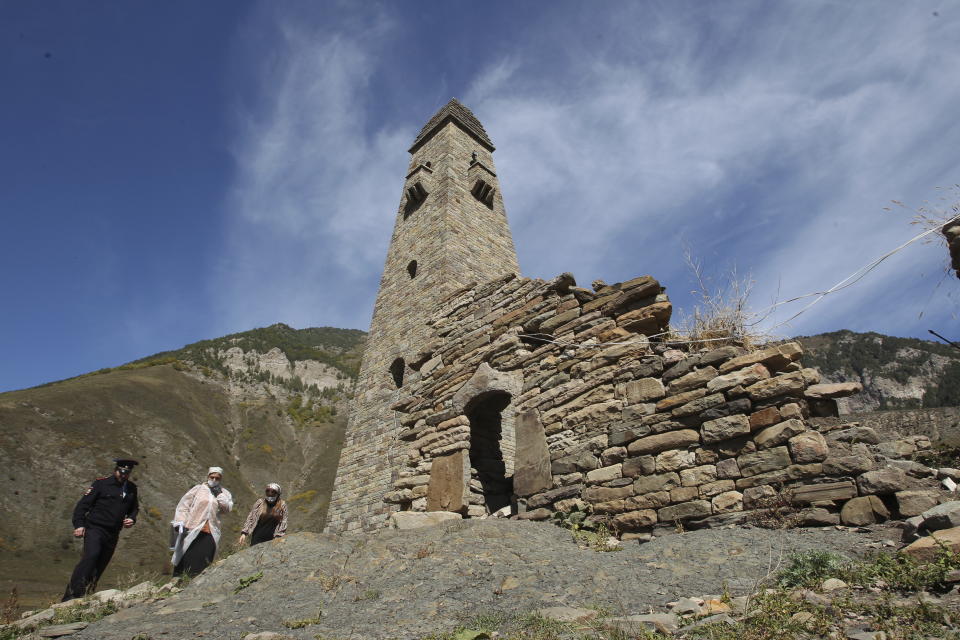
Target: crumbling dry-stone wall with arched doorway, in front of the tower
640	433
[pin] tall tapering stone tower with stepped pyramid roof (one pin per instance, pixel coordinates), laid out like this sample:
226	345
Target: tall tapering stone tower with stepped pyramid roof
451	230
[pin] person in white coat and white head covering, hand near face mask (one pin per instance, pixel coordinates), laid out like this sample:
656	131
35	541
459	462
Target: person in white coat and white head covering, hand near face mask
198	519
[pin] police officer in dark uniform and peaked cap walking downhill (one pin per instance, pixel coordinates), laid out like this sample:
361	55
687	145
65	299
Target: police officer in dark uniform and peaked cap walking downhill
107	506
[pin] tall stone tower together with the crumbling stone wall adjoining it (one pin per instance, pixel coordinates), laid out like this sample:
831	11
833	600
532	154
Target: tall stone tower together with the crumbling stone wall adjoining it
485	394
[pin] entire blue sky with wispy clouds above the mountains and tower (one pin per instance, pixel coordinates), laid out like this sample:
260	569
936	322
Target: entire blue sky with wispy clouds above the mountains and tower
177	171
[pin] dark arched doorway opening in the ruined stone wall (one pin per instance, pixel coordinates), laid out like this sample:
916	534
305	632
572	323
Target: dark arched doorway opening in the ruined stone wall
491	449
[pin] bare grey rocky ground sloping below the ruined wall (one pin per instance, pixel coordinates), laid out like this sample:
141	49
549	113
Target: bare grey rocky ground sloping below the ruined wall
410	584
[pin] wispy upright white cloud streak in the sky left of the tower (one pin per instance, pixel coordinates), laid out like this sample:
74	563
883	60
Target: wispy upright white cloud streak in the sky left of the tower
307	229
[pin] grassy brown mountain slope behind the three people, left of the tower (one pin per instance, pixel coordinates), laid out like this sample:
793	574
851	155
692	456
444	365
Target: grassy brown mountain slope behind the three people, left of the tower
236	402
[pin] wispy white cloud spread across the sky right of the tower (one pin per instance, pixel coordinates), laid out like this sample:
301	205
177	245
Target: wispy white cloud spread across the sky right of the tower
774	146
